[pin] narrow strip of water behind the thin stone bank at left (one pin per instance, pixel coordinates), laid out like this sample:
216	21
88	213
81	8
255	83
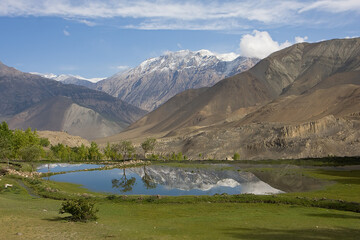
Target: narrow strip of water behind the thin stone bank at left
64	167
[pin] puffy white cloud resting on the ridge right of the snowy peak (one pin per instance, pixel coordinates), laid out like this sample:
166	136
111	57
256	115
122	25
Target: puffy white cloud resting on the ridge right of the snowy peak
259	45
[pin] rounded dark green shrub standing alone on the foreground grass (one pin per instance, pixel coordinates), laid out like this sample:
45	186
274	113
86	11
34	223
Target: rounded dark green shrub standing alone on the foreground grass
81	210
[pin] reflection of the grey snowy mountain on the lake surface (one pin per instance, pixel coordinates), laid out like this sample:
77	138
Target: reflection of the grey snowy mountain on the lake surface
204	179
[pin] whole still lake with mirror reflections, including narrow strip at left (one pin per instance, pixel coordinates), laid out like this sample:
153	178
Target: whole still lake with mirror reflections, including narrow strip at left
209	179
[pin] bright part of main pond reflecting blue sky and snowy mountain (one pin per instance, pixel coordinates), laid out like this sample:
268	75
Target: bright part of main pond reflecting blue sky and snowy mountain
167	181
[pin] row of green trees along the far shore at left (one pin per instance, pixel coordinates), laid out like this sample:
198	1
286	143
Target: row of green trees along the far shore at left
28	146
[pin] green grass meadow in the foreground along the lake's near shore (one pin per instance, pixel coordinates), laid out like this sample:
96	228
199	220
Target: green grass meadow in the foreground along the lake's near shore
26	217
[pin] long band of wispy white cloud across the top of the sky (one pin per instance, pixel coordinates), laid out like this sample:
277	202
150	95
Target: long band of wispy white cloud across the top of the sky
179	14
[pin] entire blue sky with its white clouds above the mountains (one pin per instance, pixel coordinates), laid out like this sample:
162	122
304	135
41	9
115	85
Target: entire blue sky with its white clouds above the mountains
94	38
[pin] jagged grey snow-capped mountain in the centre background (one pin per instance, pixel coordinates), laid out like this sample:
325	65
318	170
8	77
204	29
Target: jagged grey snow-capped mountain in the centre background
156	80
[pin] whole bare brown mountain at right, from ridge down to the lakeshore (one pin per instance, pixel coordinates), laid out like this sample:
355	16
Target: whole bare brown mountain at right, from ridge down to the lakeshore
302	101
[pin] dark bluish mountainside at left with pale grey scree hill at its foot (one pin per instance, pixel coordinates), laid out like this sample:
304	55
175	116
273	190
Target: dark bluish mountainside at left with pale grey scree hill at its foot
28	100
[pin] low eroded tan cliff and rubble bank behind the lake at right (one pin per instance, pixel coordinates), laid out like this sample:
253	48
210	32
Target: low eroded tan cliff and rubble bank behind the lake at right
322	138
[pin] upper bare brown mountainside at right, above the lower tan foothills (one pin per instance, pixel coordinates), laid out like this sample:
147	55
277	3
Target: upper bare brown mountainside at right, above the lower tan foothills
294	70
